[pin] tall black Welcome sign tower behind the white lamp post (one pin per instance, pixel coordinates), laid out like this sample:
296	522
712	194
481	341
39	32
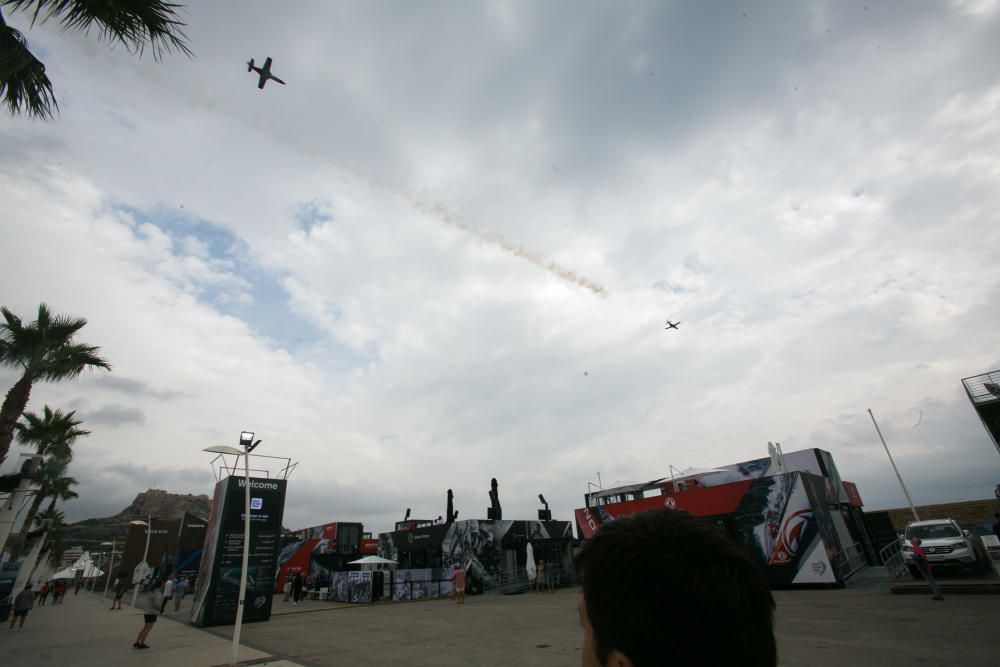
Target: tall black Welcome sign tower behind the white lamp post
216	597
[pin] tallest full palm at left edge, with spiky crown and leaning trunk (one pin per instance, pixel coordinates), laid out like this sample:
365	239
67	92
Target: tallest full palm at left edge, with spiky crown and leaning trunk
44	351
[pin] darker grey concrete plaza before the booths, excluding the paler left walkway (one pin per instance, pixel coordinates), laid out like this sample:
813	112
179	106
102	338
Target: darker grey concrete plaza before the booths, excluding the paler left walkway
828	627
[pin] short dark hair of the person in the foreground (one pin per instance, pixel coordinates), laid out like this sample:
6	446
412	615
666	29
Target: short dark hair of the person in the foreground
663	585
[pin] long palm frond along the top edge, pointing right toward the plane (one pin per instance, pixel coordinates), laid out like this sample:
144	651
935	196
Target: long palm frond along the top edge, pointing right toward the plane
133	23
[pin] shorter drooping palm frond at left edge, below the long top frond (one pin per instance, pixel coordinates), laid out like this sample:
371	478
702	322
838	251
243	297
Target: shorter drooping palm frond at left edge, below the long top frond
24	85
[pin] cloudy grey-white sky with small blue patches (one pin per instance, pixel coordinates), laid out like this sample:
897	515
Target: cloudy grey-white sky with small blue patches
446	249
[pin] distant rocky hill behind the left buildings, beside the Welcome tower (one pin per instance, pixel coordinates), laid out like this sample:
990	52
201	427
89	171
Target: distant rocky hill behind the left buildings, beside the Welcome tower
154	502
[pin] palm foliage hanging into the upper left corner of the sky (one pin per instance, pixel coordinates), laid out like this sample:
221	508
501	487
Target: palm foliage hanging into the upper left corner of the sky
26	87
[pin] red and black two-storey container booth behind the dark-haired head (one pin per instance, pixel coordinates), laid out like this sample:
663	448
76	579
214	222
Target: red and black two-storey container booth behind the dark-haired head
792	514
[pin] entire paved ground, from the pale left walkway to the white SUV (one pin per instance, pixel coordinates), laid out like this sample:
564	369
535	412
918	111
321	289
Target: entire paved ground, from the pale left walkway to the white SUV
864	626
